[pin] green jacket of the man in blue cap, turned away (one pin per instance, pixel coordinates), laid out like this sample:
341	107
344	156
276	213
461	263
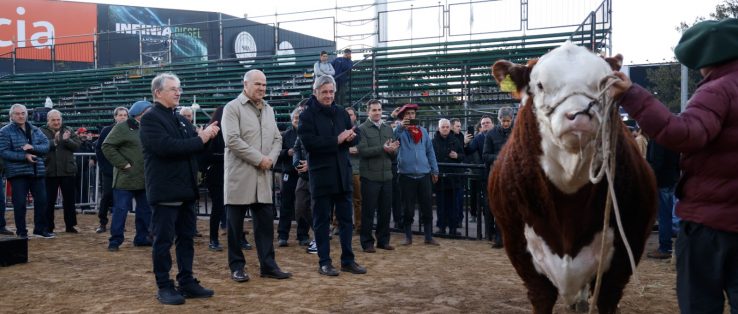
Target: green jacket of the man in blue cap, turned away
123	147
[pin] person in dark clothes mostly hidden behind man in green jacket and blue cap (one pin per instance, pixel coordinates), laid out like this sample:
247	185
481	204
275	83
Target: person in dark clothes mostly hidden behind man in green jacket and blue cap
120	114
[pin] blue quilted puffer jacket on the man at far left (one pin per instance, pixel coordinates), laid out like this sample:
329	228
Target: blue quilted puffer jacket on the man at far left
12	139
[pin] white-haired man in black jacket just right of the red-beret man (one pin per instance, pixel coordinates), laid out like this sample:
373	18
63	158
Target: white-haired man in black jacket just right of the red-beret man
448	149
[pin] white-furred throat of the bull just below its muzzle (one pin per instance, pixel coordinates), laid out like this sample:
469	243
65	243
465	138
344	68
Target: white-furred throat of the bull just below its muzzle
567	171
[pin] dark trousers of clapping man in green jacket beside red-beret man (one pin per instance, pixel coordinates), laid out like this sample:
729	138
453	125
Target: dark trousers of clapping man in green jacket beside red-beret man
376	196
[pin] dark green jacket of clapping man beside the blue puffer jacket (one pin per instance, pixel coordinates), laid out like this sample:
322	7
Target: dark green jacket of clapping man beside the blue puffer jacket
60	159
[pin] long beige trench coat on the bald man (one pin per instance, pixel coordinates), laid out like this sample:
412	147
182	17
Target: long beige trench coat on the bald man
247	140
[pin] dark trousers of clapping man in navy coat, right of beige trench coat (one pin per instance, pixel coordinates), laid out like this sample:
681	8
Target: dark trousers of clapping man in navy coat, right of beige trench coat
321	225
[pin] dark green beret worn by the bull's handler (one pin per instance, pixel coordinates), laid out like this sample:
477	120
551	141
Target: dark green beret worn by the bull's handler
708	43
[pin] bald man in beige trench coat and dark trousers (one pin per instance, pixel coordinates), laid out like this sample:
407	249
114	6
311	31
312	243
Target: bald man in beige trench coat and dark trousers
252	145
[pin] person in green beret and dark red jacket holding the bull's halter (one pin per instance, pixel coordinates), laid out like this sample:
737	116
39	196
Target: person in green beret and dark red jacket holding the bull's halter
706	133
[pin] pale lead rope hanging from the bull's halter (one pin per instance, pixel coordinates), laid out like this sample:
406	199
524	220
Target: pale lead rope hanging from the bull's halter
604	161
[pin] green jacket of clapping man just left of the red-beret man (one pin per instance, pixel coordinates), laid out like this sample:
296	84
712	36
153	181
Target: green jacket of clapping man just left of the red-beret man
376	164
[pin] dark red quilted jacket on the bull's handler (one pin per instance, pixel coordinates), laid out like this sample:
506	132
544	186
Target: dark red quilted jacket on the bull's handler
706	134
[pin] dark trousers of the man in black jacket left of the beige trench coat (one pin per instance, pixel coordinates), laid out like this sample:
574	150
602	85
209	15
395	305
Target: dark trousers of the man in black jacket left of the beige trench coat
173	225
